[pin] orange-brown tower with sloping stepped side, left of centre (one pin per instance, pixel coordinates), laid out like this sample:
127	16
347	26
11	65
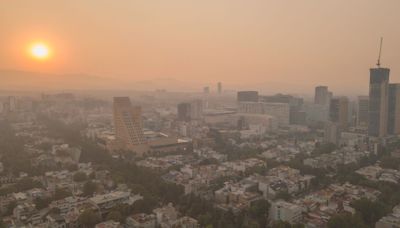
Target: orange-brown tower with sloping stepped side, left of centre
128	124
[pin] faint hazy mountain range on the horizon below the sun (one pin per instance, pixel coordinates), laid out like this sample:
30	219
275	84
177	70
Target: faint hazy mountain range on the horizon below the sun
25	80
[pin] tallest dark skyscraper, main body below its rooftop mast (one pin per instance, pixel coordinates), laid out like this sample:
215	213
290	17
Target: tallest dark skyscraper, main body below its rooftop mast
378	101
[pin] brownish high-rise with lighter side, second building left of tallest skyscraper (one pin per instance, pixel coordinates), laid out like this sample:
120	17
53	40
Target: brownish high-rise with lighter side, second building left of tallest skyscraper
339	111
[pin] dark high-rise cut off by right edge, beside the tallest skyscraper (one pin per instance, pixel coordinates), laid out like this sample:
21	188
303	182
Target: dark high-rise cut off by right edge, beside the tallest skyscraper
394	109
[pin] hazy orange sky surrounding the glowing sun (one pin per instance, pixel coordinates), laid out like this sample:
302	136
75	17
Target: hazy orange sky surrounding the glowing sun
271	45
